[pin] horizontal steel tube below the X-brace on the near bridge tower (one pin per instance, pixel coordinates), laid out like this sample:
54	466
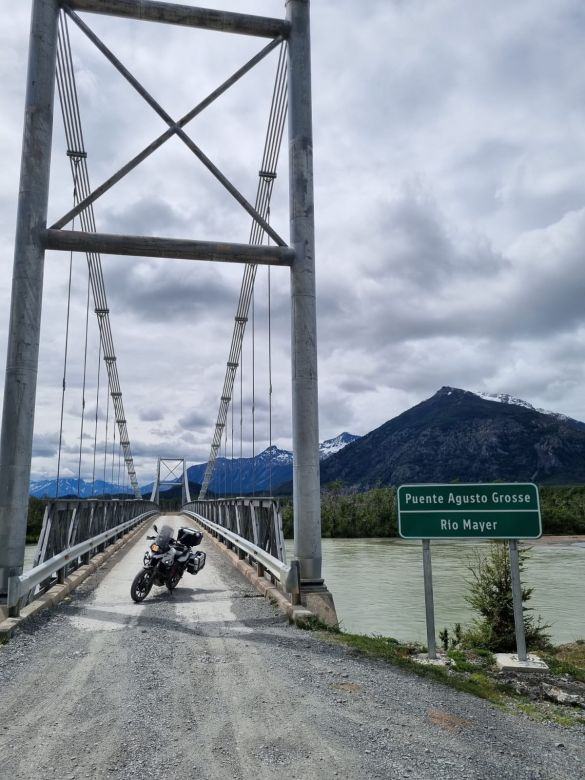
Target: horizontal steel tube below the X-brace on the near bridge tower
177	248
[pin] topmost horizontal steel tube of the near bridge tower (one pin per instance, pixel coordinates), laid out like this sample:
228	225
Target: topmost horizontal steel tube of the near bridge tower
188	16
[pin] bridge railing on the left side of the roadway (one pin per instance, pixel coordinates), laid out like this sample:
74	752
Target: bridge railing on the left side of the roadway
73	530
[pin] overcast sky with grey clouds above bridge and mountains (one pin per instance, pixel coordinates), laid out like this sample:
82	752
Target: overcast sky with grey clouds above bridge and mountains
449	152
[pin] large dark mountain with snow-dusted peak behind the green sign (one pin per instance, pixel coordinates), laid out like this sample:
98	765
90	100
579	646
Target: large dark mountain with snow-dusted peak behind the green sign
460	435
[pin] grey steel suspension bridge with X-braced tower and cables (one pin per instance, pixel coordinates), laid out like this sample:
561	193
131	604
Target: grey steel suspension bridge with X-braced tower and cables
76	527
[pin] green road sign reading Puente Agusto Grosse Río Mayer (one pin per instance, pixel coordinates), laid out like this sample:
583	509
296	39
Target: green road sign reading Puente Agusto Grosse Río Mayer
482	511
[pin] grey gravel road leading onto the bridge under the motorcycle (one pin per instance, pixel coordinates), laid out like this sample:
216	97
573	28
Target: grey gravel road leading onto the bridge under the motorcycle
212	683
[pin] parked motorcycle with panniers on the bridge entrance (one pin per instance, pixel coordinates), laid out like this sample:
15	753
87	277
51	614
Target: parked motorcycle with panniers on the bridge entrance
167	559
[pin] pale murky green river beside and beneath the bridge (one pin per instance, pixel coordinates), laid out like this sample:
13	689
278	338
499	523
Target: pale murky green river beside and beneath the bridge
377	585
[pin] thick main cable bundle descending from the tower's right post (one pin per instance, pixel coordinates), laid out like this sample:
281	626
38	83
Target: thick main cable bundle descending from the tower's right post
267	175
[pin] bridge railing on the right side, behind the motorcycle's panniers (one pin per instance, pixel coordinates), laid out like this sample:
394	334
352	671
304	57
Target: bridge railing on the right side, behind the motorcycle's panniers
253	528
